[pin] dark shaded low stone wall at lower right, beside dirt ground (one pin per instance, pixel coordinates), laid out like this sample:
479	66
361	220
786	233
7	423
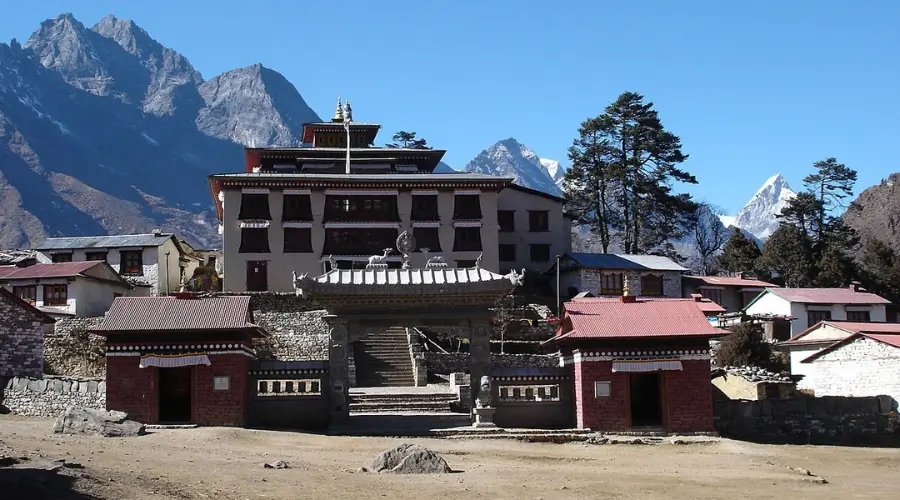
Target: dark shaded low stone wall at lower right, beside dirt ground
824	420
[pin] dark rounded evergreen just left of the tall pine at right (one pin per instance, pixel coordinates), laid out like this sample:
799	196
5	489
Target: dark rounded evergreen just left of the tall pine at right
788	255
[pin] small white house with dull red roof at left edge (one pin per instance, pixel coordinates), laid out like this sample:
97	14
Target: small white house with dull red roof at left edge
69	288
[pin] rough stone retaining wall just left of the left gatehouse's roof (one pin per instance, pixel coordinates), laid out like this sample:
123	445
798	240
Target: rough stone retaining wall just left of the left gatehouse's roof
73	352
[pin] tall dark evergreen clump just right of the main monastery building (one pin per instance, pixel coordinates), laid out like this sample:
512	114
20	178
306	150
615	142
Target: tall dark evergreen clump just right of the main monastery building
637	159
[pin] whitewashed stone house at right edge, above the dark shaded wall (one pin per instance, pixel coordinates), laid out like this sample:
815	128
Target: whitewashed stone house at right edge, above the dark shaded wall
865	363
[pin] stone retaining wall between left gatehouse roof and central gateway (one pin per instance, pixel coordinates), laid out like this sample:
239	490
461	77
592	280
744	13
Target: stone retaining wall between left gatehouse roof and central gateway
294	336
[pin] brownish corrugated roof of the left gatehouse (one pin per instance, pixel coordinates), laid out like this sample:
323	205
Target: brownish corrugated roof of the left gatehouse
170	313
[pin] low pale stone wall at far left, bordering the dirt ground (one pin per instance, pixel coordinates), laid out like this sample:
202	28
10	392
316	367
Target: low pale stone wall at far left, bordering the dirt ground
48	397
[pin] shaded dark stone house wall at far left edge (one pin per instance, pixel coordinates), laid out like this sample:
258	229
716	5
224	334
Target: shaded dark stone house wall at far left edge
21	334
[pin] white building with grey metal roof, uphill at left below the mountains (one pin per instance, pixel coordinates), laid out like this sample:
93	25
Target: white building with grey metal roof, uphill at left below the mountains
155	259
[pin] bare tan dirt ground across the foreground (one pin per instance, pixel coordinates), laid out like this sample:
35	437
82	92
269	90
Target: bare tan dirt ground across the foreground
221	463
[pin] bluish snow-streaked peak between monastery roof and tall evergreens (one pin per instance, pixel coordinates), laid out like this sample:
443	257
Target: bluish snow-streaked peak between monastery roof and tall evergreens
510	158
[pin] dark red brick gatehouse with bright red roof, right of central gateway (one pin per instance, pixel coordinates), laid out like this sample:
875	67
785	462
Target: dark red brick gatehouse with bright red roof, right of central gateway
639	363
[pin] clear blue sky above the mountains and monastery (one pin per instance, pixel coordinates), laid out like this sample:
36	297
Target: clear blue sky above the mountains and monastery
752	88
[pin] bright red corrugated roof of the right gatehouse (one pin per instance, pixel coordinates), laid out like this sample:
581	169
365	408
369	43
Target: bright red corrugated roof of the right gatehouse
611	318
